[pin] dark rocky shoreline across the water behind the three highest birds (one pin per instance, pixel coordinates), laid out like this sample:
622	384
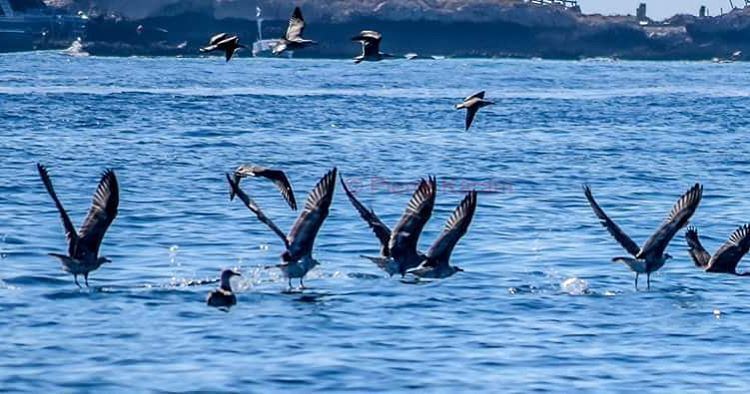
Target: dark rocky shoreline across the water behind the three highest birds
512	30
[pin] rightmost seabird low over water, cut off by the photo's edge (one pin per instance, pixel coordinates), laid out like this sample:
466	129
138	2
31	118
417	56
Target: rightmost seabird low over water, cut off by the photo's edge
726	259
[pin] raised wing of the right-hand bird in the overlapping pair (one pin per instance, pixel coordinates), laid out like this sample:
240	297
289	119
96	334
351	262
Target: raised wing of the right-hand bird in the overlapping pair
456	227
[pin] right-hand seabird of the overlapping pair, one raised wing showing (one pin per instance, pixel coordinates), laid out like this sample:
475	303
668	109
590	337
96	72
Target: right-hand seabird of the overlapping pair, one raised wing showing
437	259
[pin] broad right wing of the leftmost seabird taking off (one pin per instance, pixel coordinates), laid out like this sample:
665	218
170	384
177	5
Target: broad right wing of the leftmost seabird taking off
102	212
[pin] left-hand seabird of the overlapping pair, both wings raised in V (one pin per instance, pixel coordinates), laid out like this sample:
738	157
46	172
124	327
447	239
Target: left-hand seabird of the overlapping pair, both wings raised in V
398	248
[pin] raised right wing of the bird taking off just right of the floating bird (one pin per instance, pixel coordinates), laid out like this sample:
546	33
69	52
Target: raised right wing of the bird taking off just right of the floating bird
305	229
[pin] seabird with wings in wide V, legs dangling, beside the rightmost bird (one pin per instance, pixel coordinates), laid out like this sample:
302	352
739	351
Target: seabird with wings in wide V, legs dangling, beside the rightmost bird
650	257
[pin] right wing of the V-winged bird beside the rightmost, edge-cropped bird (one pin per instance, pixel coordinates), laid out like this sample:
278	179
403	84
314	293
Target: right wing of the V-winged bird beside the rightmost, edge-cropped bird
678	218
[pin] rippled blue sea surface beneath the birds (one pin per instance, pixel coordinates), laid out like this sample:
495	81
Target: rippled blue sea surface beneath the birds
540	306
